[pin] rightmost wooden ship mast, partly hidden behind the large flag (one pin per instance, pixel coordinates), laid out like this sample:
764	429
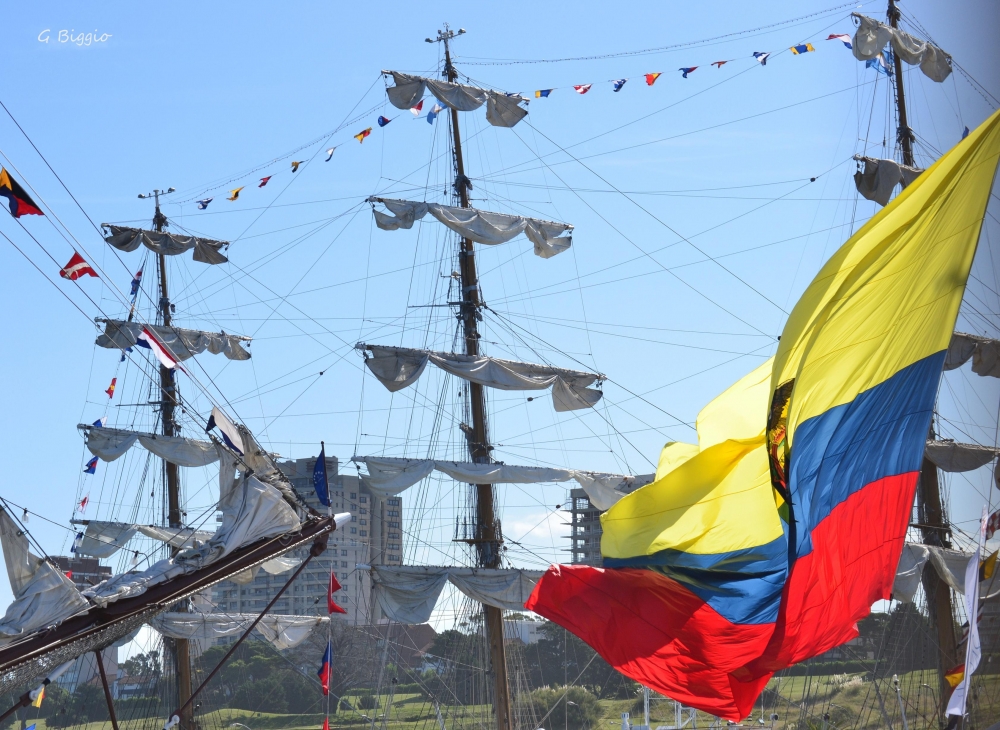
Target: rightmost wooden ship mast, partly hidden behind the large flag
933	527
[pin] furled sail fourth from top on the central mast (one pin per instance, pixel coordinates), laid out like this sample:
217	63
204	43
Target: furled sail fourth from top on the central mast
388	476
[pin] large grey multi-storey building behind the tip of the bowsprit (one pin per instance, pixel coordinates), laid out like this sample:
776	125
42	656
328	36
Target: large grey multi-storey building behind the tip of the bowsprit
373	536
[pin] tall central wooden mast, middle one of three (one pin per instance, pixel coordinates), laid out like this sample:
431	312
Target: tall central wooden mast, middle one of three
487	537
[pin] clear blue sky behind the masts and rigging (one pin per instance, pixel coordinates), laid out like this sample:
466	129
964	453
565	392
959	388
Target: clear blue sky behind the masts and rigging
206	98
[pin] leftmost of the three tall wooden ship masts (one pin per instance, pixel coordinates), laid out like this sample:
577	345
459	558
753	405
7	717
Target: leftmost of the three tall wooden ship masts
168	403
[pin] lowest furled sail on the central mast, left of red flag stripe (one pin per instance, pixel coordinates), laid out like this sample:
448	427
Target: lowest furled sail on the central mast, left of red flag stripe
408	594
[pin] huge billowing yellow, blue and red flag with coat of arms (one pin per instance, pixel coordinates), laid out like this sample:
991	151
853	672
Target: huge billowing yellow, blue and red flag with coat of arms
763	545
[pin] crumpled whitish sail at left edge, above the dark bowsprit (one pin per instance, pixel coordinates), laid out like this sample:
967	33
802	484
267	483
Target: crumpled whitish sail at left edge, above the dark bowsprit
43	595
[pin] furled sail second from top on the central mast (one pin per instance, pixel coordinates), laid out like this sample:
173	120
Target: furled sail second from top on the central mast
478	225
